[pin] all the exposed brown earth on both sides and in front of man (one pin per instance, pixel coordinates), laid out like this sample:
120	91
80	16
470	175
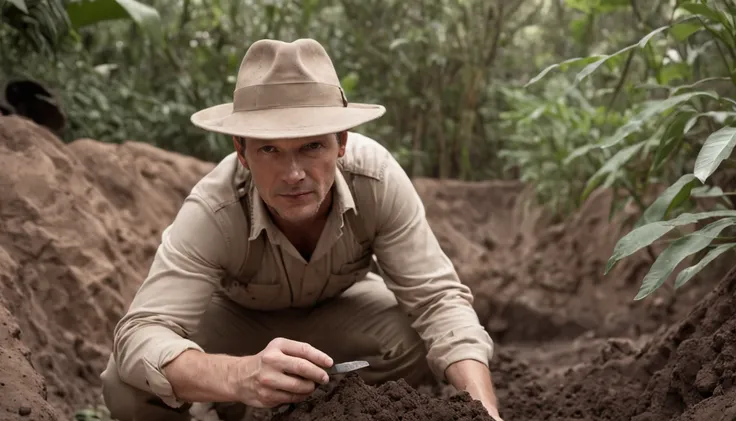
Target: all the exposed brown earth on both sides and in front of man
80	224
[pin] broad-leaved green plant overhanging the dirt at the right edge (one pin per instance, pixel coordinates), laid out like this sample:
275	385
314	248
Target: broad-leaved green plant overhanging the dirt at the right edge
679	136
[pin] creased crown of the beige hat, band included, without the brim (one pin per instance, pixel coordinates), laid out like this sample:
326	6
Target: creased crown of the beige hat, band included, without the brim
277	74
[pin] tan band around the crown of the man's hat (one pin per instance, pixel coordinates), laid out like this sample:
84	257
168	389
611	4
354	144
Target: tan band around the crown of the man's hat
288	95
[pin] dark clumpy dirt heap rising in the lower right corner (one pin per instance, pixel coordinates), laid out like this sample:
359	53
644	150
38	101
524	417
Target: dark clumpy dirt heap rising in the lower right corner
693	366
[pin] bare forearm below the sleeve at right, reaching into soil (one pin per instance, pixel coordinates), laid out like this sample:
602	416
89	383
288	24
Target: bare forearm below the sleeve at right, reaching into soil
475	378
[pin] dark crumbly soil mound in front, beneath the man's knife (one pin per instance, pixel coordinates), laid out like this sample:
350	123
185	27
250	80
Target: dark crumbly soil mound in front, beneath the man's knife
351	398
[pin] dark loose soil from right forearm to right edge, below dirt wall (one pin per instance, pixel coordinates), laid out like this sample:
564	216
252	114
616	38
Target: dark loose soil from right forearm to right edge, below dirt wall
686	374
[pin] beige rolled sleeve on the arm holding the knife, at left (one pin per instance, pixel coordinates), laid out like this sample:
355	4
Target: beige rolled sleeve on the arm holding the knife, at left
166	309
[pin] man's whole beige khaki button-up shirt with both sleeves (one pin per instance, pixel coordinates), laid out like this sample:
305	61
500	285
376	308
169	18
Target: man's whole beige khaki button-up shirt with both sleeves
205	250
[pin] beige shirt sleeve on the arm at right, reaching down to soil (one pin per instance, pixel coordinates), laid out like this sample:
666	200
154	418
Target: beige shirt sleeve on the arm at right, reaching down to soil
423	278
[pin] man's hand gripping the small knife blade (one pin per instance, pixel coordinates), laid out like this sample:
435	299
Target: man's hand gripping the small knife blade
285	371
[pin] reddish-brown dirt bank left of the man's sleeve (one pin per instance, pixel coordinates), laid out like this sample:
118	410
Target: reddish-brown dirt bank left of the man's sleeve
79	225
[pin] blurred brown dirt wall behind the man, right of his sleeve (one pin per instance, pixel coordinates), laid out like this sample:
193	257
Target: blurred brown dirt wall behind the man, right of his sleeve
537	280
